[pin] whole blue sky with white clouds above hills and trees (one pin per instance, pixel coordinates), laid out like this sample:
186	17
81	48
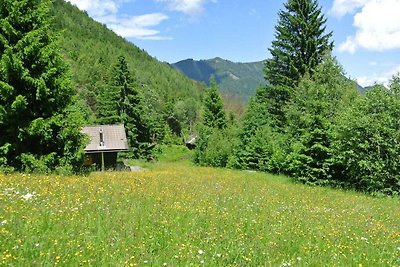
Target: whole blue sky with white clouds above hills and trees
366	33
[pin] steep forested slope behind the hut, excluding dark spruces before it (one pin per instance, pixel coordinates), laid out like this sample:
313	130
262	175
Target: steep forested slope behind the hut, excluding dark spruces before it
92	51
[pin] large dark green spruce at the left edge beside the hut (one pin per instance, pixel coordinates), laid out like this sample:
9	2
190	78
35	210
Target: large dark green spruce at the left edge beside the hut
35	90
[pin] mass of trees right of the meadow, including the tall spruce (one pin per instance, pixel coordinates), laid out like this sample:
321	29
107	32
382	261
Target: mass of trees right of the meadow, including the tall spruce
310	122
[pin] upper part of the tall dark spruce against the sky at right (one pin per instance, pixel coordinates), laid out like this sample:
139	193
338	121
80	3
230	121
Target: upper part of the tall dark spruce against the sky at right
300	43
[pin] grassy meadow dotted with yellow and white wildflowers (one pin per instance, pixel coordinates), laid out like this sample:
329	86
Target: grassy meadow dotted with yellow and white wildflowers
176	214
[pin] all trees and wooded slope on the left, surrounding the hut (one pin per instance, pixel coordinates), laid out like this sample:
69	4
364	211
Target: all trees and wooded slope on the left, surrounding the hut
61	70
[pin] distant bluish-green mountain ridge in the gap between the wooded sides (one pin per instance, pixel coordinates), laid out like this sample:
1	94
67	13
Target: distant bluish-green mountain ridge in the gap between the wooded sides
237	79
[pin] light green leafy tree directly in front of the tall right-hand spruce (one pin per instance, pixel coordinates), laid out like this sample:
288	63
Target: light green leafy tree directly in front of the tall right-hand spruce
311	116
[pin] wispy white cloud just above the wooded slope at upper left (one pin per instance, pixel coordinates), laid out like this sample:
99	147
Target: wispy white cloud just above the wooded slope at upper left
107	12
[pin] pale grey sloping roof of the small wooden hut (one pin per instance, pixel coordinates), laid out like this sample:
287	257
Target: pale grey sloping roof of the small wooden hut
114	138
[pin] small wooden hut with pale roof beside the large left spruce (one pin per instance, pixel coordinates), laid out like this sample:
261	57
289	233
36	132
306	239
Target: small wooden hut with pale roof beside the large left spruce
105	143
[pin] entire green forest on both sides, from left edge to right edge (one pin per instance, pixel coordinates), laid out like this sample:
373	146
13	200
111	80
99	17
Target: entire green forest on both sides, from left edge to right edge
60	70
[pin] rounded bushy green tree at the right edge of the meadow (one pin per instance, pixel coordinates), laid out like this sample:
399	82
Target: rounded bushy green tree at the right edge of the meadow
367	145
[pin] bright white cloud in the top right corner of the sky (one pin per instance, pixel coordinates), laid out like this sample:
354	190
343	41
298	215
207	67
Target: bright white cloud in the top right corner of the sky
377	24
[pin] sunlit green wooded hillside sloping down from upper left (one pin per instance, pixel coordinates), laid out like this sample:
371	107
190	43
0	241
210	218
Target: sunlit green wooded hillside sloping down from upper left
92	50
